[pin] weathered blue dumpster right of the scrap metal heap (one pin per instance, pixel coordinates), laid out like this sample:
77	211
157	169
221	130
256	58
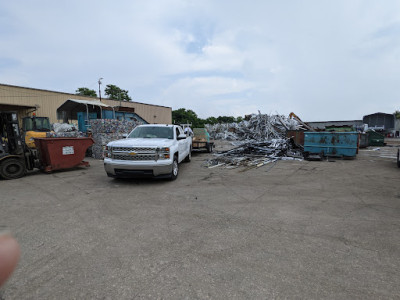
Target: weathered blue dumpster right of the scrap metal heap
336	144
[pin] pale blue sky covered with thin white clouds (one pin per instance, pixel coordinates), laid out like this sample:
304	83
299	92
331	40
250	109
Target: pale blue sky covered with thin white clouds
323	60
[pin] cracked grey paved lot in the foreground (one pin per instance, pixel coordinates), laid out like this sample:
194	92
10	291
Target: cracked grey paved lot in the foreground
308	230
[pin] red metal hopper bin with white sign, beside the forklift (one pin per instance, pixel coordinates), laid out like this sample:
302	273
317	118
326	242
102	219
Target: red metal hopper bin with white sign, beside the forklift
62	153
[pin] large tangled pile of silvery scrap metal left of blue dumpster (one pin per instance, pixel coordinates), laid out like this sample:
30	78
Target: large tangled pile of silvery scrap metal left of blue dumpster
259	141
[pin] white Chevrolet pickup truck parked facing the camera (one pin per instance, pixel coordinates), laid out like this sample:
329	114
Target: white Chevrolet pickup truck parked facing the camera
149	151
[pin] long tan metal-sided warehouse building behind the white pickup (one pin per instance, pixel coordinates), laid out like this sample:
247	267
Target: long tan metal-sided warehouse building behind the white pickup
45	103
